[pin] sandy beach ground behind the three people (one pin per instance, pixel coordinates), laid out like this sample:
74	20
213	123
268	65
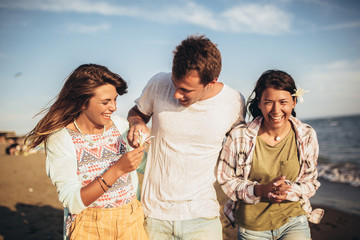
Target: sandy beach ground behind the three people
29	207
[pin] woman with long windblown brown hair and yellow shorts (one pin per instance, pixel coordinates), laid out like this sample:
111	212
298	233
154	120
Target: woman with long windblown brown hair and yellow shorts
88	158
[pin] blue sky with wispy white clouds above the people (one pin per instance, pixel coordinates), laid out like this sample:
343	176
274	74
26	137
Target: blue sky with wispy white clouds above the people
43	41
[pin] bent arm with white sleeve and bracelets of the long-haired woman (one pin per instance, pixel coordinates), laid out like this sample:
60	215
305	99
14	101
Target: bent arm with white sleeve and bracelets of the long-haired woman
61	167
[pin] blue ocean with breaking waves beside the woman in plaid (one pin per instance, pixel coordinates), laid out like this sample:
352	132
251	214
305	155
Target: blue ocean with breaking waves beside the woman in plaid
339	141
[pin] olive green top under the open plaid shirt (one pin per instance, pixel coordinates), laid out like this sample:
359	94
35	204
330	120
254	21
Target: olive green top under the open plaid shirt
270	162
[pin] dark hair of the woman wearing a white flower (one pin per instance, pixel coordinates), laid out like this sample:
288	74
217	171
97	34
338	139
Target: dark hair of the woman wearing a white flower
270	79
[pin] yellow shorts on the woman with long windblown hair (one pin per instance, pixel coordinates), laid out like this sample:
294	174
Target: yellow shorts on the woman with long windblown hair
125	222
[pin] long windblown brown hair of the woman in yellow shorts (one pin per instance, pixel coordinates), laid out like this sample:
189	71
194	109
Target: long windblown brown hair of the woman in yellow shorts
78	88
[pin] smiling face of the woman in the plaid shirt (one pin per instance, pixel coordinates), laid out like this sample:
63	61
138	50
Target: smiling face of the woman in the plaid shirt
276	107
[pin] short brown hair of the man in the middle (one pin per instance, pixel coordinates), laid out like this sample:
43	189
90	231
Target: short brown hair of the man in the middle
197	53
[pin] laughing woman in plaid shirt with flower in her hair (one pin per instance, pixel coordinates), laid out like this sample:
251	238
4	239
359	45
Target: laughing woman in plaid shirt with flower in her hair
267	167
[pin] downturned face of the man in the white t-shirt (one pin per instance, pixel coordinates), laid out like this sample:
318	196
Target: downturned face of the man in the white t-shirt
189	89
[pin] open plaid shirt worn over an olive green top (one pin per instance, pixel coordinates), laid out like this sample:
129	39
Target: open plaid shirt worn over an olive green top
236	159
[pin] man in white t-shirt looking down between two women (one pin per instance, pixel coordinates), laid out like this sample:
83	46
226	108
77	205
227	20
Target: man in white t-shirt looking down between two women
191	113
